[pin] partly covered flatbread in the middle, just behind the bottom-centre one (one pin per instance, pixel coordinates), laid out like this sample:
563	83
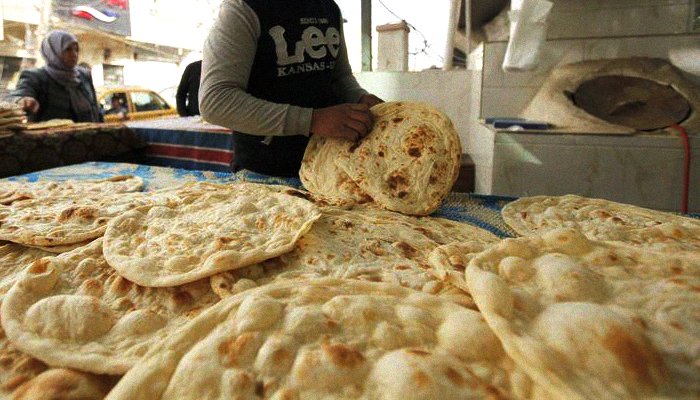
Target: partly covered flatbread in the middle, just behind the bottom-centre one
365	244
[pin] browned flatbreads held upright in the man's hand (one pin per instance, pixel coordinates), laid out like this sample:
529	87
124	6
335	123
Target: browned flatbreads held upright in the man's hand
407	163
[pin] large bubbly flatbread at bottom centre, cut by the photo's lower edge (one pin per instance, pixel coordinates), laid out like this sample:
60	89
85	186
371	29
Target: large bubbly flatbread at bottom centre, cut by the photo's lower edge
328	339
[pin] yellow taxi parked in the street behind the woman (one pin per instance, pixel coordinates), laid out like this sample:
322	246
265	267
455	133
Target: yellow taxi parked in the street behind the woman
132	103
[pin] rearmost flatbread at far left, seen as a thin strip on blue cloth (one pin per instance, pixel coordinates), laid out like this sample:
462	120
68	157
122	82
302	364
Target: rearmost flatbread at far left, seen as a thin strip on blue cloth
15	191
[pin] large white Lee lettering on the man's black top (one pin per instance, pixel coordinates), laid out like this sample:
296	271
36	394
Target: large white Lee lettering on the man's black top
313	42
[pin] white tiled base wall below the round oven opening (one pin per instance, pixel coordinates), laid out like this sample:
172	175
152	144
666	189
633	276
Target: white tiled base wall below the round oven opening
641	170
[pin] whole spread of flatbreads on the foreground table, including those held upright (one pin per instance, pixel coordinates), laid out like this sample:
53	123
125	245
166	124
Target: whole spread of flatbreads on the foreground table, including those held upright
244	290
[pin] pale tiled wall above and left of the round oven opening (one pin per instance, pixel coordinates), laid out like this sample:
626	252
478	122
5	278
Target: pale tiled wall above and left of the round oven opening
588	30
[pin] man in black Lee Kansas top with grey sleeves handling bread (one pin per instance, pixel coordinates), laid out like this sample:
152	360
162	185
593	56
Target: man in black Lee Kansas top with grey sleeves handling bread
275	72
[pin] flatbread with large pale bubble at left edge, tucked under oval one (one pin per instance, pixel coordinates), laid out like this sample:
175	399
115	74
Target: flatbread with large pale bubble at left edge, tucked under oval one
74	311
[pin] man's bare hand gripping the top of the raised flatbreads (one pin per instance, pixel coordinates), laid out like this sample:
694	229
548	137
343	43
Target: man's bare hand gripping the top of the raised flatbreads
345	121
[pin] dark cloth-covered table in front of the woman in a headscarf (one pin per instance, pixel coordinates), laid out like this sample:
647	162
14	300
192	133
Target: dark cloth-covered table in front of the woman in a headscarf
27	151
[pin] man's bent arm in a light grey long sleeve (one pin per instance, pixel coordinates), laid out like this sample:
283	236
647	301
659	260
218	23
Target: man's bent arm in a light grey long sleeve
229	52
